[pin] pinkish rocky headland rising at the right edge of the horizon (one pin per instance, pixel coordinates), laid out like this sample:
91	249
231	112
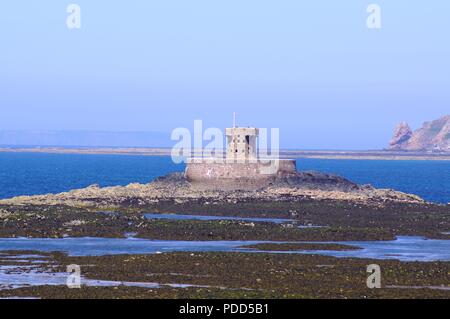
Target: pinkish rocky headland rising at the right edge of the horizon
432	136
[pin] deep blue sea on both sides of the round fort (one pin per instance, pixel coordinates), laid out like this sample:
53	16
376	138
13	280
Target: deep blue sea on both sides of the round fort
34	173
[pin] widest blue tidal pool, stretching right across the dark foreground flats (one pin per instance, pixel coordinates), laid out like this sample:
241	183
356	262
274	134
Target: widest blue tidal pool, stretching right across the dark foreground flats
404	248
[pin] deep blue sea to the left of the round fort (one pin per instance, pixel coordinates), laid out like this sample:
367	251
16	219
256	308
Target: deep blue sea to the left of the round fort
39	173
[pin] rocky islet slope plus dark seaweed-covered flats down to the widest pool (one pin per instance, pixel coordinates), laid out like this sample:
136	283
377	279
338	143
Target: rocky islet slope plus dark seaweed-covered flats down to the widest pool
344	210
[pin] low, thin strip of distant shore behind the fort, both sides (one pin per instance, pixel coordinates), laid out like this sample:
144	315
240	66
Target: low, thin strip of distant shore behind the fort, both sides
148	151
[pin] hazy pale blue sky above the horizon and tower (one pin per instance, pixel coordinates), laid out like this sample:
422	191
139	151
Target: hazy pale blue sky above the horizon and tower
311	68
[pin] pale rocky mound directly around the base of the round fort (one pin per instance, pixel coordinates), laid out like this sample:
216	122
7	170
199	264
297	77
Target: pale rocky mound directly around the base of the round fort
176	188
